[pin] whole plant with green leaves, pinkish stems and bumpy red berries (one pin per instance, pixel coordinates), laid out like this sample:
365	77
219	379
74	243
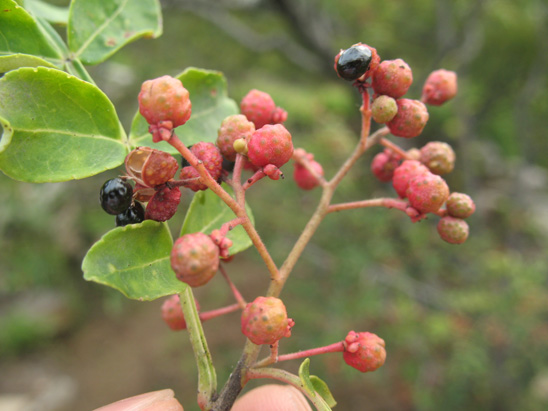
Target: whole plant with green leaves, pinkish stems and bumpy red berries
58	126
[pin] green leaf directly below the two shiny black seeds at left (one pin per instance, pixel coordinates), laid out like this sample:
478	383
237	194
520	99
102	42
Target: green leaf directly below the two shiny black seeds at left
134	260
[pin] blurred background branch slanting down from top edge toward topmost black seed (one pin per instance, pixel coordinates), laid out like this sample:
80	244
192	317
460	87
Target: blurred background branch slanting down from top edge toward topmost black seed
215	13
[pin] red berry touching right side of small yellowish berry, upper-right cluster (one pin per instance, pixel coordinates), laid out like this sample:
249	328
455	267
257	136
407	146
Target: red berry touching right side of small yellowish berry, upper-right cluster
411	118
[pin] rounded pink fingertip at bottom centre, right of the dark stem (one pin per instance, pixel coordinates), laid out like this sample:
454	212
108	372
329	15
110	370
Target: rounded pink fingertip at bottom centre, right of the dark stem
273	397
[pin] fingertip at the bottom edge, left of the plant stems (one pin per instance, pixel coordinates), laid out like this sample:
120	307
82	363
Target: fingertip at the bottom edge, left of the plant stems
163	400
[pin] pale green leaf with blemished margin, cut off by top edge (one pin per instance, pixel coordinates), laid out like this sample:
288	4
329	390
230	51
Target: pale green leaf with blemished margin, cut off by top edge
99	28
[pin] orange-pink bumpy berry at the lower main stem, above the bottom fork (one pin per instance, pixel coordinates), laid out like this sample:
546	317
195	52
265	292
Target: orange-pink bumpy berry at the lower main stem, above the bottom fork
264	321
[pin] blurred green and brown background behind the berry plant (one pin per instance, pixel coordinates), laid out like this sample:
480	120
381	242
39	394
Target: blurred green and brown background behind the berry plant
466	327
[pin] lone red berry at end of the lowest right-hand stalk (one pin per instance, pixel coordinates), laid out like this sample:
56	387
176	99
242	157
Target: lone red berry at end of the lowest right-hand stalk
364	351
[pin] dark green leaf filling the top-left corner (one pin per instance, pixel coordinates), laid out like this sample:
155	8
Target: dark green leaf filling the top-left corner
21	34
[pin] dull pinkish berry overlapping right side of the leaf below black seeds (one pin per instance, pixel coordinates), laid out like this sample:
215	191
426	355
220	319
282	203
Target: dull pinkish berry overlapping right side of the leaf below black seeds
195	259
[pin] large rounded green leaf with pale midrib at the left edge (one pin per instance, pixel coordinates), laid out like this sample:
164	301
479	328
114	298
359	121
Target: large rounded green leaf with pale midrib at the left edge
56	127
